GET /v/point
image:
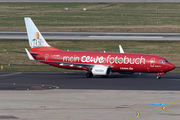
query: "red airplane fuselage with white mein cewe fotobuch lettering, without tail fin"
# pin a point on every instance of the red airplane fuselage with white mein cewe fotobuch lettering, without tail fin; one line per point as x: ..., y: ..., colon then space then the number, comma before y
x: 120, y: 62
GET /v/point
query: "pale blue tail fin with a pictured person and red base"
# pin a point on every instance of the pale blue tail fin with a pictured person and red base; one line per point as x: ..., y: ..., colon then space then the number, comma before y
x: 36, y: 40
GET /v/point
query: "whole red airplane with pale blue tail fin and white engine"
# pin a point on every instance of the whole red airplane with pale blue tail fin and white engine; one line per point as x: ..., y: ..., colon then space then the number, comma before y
x: 95, y: 63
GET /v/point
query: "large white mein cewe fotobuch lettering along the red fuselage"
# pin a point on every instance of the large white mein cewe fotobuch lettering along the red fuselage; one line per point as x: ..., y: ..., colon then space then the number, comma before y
x: 101, y: 59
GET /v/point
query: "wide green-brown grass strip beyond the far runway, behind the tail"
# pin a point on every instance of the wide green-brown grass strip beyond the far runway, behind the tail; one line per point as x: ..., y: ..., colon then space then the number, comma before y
x: 98, y: 17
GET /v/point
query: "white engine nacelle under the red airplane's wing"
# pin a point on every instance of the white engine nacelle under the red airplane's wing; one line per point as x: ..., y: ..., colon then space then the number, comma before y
x: 101, y: 70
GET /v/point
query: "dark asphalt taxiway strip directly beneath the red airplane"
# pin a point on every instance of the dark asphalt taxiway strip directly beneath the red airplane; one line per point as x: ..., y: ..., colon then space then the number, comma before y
x: 77, y: 80
